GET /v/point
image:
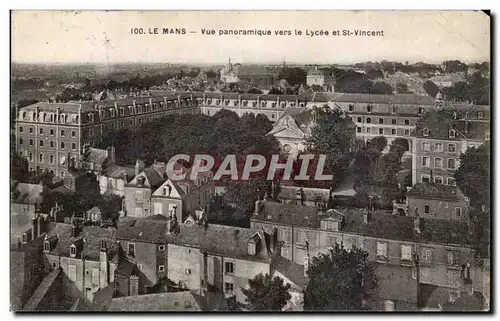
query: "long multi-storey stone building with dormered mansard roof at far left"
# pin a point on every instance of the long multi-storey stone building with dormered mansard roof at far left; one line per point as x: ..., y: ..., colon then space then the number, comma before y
x: 52, y: 136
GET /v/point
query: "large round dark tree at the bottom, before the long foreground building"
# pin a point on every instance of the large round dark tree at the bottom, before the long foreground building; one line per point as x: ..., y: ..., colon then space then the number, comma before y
x: 339, y: 280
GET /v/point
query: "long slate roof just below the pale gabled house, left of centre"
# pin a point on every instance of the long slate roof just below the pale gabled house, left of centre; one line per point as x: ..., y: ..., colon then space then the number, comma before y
x: 217, y: 239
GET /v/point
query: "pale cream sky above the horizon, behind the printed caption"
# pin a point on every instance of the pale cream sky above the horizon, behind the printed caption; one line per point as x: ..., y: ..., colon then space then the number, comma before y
x: 79, y: 36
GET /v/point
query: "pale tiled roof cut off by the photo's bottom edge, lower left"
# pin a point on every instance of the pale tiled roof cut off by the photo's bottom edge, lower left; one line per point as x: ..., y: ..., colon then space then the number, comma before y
x: 174, y: 301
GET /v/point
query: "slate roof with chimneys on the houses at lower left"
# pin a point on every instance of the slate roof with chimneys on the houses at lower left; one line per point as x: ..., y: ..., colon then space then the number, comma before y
x: 92, y: 235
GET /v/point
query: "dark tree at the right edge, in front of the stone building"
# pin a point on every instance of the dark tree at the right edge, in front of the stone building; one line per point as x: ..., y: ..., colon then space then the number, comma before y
x: 473, y: 175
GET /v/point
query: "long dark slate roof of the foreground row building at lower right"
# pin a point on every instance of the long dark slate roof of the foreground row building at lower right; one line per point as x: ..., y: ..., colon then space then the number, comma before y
x: 381, y: 225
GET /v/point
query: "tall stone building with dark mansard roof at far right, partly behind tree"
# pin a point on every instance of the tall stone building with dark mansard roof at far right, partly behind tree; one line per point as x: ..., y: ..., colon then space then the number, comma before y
x: 440, y: 137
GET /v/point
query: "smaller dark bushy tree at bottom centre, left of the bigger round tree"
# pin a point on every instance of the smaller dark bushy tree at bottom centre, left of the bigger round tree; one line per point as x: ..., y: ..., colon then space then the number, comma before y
x: 266, y: 293
